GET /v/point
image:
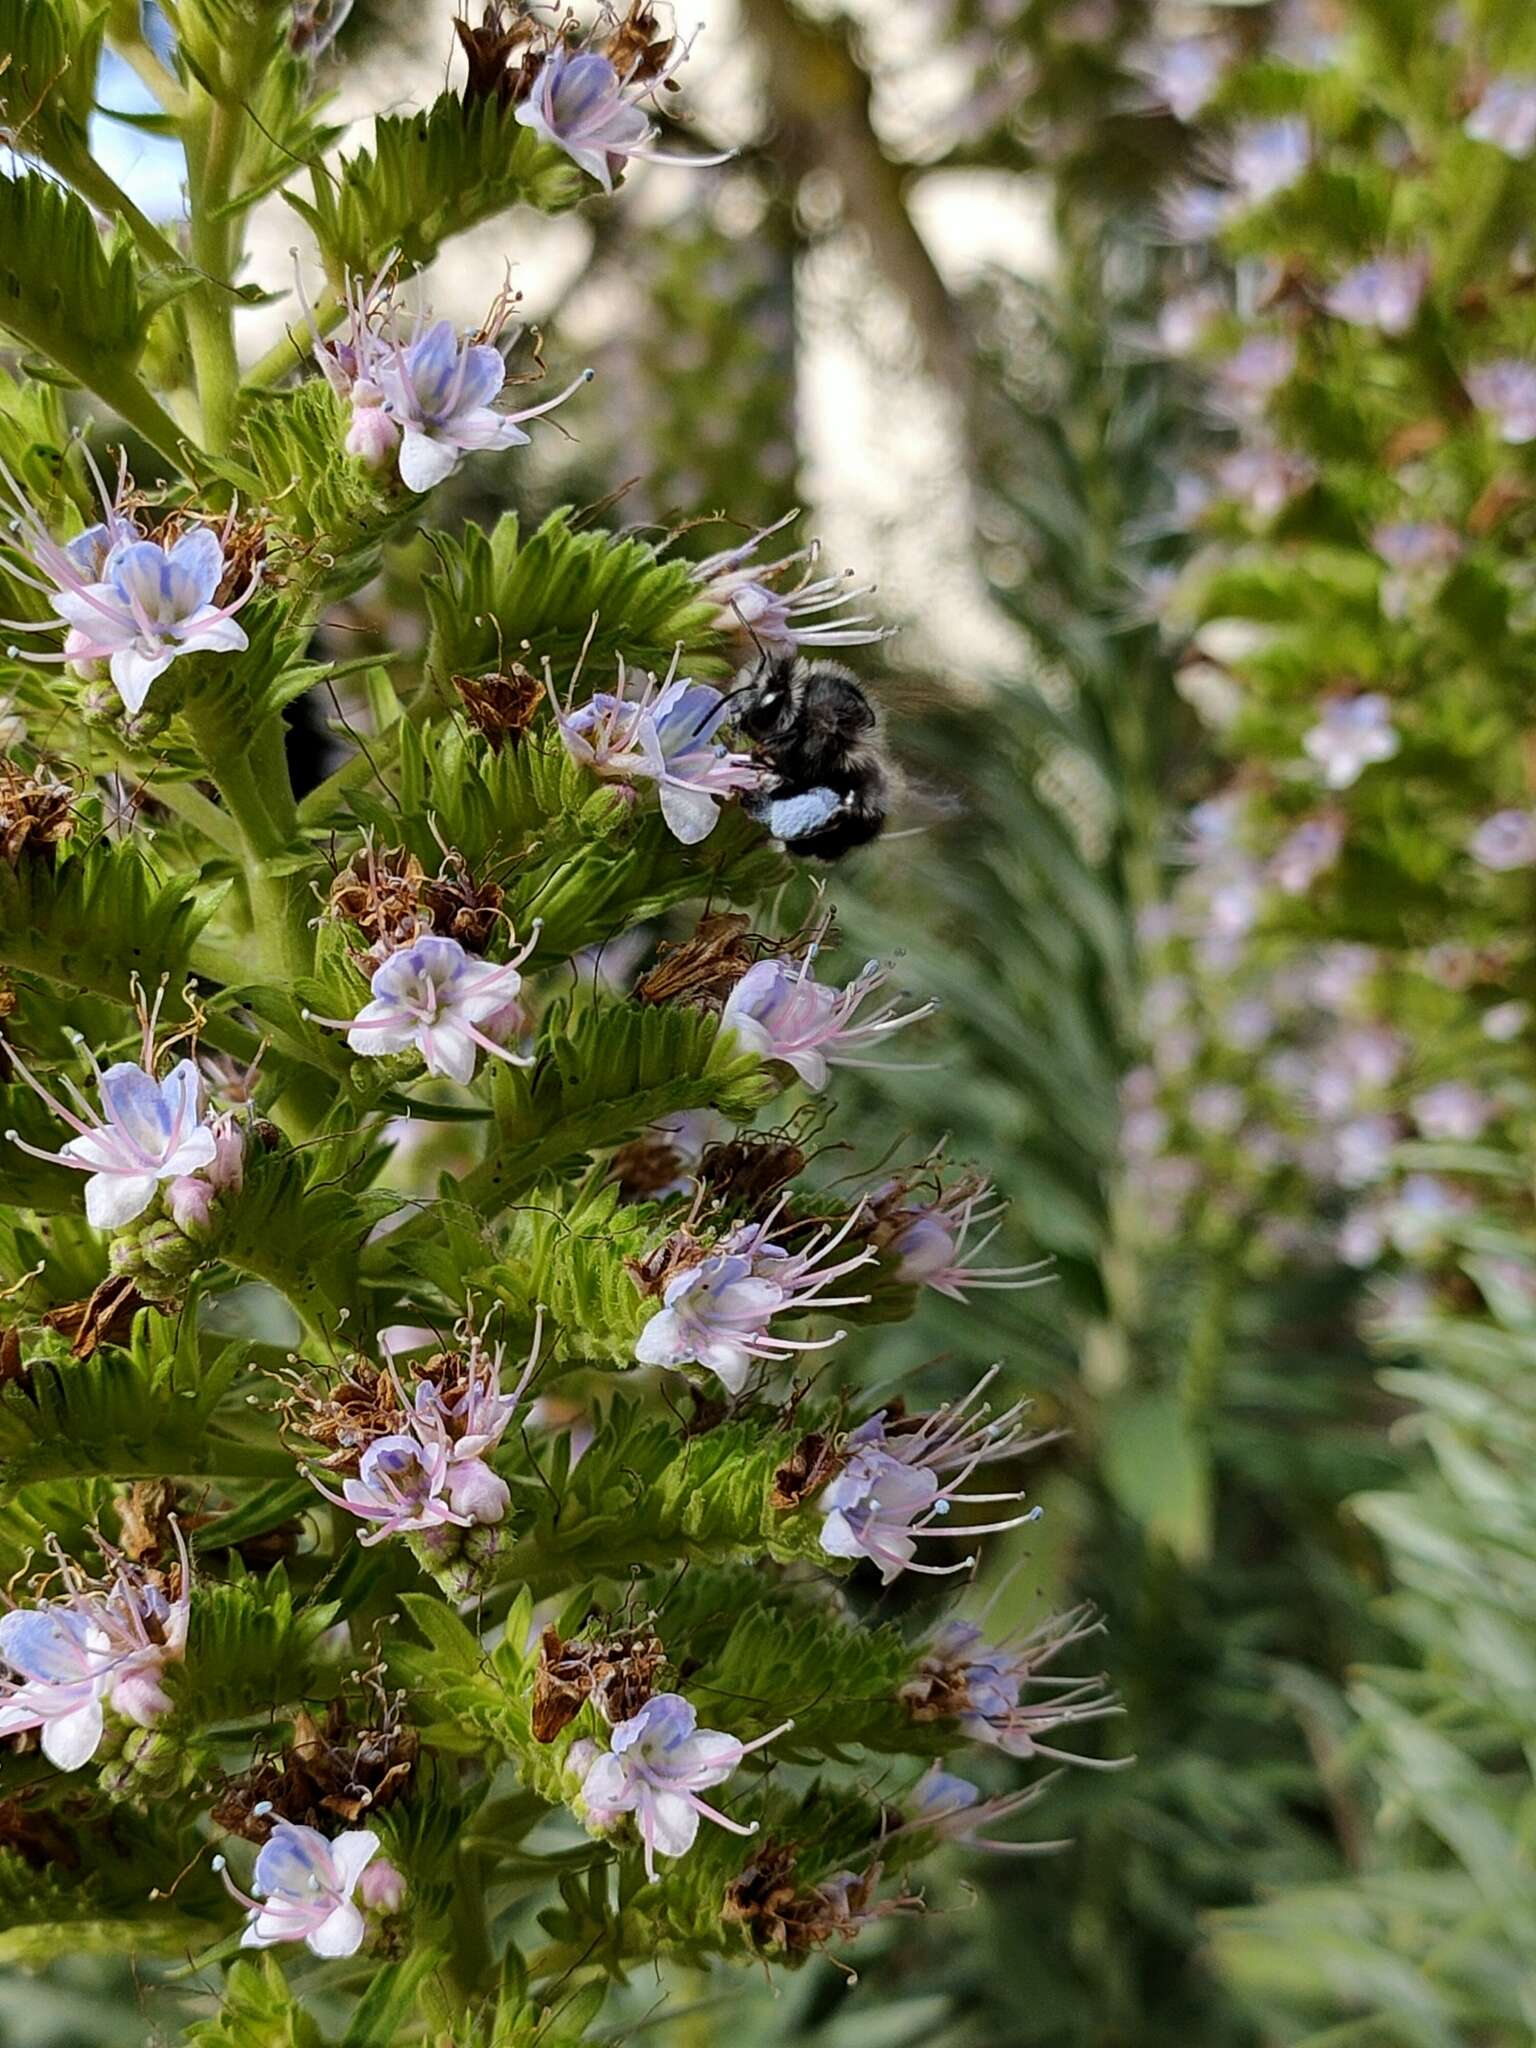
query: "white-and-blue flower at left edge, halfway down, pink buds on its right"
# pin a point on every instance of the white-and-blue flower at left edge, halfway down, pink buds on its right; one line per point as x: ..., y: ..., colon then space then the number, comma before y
x: 148, y: 1134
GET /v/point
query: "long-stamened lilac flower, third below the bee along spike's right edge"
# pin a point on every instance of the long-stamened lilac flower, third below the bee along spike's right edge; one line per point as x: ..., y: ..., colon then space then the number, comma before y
x: 902, y: 1482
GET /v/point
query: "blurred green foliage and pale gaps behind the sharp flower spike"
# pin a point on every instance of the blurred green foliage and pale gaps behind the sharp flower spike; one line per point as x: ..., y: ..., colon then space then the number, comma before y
x: 943, y: 300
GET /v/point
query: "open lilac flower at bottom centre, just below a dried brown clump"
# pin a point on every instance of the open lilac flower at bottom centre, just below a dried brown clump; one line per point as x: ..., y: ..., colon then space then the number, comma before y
x: 656, y: 1766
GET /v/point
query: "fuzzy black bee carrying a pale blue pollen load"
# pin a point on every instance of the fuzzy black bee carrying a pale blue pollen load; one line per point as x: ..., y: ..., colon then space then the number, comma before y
x: 816, y: 730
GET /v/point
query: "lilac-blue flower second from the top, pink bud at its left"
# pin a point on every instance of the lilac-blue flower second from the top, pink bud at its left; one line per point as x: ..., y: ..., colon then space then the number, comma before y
x: 439, y: 394
